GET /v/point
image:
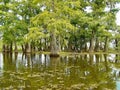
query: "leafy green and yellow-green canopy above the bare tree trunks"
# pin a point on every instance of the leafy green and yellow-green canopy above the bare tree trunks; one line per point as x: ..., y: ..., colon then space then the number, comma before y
x: 33, y: 20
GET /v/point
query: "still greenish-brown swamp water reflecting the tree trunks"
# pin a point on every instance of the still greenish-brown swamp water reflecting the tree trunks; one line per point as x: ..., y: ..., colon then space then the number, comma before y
x: 73, y: 72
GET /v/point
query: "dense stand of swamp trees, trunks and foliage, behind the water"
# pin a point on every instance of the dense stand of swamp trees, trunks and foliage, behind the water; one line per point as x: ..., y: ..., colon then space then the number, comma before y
x: 59, y: 25
